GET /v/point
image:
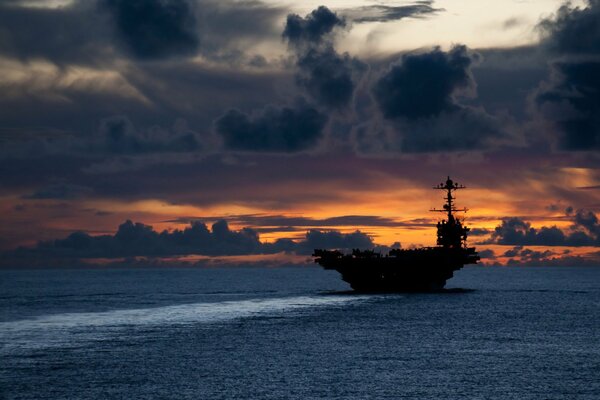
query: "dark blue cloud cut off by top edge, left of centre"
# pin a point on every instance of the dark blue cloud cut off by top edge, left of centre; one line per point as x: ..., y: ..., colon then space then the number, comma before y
x: 154, y: 29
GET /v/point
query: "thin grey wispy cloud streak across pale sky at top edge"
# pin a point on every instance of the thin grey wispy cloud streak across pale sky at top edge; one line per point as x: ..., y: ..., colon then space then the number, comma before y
x: 382, y: 13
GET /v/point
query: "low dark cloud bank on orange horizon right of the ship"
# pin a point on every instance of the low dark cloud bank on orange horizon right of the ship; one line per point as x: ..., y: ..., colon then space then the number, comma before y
x: 585, y: 231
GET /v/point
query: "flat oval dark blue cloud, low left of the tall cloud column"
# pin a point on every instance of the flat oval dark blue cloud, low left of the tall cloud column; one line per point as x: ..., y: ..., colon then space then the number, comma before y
x: 274, y: 129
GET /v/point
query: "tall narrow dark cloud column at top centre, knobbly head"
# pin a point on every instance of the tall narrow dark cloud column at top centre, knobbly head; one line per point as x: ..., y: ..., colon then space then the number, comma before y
x: 328, y: 77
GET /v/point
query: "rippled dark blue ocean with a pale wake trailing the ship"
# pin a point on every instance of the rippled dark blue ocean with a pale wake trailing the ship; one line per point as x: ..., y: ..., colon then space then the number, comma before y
x: 297, y: 333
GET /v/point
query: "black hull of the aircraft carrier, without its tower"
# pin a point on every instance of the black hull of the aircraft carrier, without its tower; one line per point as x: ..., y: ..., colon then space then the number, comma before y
x: 419, y: 270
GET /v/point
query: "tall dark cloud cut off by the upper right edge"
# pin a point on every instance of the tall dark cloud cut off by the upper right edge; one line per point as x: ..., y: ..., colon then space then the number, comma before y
x: 570, y: 98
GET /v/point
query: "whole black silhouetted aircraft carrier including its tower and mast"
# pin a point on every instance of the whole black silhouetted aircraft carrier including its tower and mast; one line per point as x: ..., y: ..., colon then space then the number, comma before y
x: 408, y: 270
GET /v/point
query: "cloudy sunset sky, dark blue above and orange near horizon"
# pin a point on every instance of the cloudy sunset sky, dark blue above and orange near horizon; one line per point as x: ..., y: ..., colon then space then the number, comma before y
x: 201, y: 132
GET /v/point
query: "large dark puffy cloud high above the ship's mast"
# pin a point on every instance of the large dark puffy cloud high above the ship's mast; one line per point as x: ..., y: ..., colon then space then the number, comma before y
x: 418, y: 95
